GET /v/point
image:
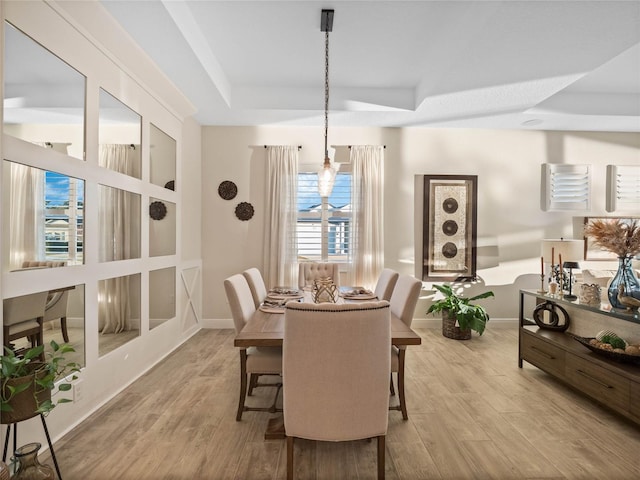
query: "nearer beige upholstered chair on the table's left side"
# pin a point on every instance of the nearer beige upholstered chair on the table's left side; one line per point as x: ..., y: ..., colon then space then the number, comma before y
x: 254, y: 361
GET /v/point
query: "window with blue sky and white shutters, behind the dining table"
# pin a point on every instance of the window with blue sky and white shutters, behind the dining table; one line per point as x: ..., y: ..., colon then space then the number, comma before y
x: 323, y: 224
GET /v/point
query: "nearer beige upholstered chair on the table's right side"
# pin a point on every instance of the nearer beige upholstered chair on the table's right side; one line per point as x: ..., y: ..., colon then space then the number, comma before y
x: 403, y: 304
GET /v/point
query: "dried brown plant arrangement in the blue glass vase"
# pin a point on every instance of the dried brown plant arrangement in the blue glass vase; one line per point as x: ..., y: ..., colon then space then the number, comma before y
x: 616, y: 236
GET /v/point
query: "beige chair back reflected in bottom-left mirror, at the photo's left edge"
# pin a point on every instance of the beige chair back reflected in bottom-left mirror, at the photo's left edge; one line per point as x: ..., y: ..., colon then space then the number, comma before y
x: 23, y: 317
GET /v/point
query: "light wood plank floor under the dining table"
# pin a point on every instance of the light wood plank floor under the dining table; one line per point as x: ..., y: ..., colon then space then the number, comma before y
x: 472, y: 414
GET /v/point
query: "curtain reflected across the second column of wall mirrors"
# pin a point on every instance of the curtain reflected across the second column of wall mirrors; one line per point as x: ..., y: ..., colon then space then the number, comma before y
x: 115, y: 217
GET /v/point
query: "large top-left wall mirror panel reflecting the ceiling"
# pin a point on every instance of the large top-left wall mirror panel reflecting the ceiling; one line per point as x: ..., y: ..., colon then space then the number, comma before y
x: 43, y: 96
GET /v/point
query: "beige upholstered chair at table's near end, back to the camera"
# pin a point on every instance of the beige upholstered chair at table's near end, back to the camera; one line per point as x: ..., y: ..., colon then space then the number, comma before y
x: 336, y: 361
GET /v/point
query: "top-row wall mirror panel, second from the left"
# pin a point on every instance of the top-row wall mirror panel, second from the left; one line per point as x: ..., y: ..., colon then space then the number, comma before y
x: 119, y: 137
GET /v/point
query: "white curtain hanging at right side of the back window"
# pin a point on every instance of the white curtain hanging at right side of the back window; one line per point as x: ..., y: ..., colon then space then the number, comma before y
x: 367, y: 241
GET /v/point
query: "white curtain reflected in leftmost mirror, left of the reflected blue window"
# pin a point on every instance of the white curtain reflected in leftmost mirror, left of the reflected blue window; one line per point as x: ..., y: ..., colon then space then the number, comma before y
x: 26, y: 214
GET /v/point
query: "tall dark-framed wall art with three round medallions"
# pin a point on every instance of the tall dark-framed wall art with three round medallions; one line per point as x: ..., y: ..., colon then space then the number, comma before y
x: 449, y: 227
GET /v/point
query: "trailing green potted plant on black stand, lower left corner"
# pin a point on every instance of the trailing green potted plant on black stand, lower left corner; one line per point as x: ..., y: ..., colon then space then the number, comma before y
x: 27, y: 381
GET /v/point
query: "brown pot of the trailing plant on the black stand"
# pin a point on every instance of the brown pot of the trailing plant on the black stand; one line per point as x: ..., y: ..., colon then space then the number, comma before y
x: 25, y: 403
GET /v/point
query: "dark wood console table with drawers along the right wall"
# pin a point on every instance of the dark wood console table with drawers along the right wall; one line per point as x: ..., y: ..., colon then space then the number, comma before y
x: 614, y: 385
